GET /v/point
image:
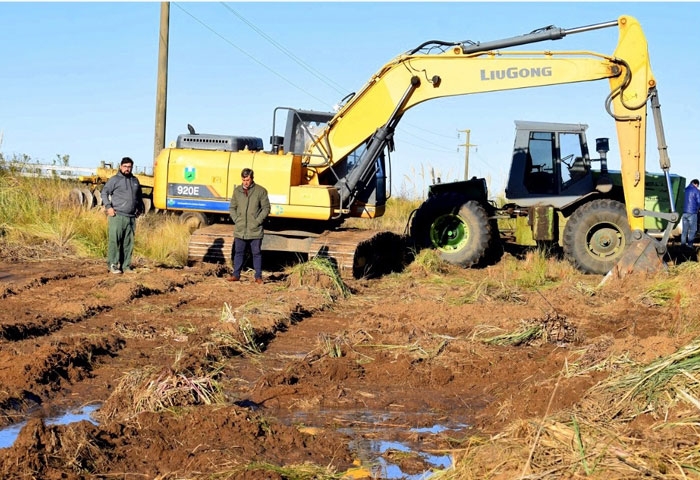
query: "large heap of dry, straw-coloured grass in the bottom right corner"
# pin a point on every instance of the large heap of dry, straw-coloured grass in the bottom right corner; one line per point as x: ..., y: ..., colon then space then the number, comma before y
x: 592, y: 439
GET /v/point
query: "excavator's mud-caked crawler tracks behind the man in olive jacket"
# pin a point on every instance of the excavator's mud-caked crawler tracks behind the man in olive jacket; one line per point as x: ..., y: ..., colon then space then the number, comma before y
x: 356, y: 253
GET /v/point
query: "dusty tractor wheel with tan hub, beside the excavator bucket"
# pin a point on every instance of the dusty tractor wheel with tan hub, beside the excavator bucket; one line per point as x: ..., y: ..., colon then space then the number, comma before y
x: 596, y: 235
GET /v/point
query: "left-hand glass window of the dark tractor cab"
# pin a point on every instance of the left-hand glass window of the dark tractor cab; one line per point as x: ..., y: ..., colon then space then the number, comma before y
x: 540, y: 165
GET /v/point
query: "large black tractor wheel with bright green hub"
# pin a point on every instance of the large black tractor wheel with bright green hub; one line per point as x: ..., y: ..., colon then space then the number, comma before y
x: 459, y: 230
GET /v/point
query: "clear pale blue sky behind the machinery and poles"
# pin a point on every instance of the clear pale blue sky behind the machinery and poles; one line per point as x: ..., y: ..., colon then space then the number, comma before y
x: 79, y: 79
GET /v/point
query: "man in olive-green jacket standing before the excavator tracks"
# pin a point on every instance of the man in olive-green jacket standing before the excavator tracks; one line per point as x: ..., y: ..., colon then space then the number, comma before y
x: 249, y: 207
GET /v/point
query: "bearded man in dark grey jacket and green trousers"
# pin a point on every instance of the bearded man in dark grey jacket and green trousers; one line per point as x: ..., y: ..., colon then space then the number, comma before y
x: 123, y: 202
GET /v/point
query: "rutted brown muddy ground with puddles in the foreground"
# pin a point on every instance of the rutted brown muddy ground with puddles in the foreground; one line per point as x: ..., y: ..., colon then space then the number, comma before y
x: 306, y: 376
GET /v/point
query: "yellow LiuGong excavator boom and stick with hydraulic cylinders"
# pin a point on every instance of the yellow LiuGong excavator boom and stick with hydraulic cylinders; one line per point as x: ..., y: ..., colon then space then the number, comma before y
x: 370, y: 116
